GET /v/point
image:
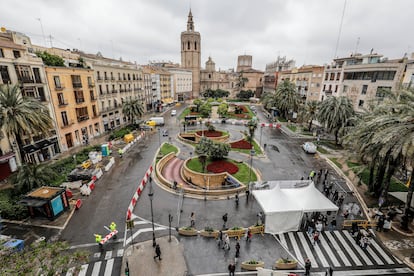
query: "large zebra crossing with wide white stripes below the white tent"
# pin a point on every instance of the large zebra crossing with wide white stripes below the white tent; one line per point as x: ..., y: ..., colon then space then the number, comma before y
x: 337, y: 249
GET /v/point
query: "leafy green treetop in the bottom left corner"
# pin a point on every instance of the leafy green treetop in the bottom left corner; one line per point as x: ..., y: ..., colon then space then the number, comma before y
x: 43, y: 258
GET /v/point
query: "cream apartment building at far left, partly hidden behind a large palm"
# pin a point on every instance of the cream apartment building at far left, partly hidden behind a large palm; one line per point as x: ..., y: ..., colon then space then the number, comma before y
x: 19, y: 65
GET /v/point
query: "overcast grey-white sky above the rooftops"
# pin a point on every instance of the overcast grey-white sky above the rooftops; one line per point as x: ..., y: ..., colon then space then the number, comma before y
x: 149, y: 30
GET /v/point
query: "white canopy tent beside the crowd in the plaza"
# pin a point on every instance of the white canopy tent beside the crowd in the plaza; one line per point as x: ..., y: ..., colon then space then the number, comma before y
x: 284, y: 206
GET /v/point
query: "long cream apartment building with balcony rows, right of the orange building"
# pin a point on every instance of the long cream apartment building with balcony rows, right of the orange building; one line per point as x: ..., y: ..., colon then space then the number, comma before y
x: 116, y: 82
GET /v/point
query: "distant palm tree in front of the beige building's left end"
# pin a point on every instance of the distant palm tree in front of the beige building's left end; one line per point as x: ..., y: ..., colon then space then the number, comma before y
x: 286, y: 98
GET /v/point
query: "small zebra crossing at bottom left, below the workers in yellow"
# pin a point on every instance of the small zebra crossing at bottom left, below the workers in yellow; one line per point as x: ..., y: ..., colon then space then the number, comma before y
x: 102, y: 263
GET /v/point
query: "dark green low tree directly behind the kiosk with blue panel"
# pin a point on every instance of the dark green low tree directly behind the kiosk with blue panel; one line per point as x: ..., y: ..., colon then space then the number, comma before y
x: 30, y: 176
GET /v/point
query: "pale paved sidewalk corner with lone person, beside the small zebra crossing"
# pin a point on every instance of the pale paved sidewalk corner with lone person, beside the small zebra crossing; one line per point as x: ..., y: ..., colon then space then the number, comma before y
x: 140, y: 258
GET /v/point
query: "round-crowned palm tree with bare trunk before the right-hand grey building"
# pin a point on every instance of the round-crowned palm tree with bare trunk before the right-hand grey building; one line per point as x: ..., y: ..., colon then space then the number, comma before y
x: 335, y: 113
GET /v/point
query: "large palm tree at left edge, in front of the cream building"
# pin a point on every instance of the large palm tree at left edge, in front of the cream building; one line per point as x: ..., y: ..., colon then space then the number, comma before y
x: 22, y: 116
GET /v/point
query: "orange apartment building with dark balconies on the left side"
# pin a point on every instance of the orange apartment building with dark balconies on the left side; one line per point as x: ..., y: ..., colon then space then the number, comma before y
x: 75, y: 102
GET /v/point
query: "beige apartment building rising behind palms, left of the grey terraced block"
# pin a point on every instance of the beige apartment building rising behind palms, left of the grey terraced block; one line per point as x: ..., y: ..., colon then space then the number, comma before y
x: 308, y: 80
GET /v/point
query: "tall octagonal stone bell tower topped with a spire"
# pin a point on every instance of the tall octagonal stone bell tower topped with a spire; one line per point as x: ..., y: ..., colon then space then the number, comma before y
x: 191, y: 53
